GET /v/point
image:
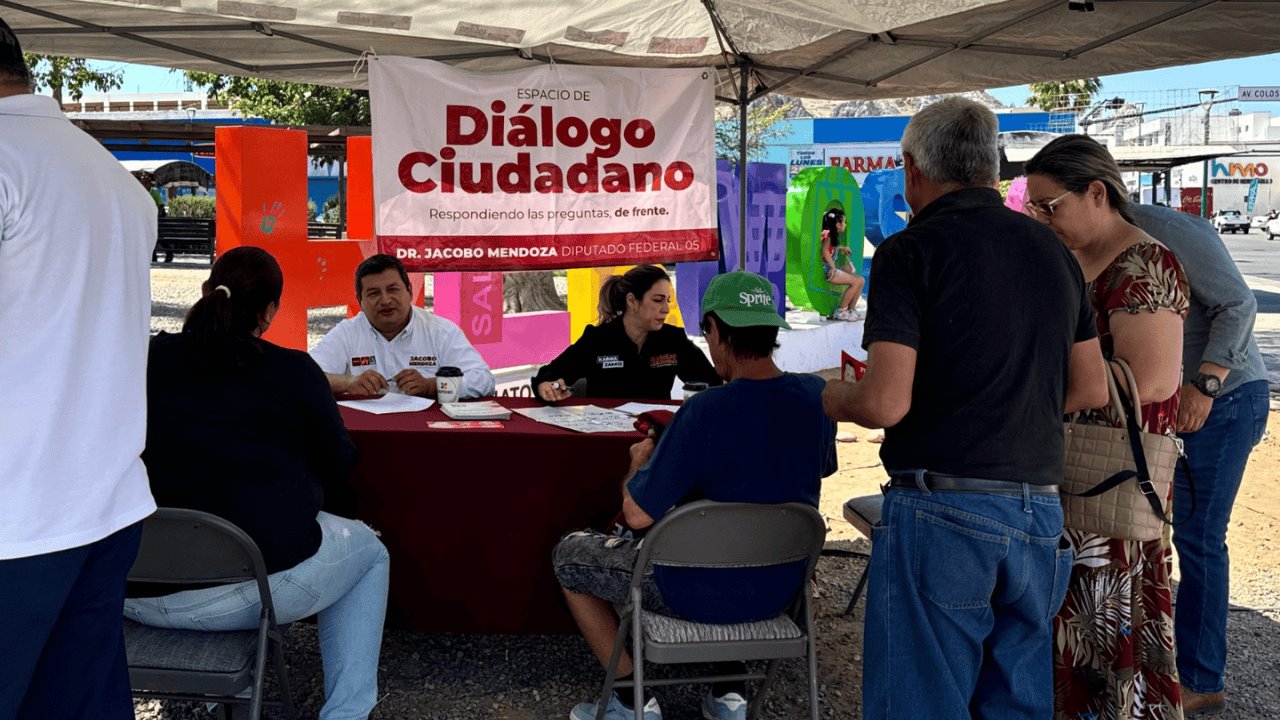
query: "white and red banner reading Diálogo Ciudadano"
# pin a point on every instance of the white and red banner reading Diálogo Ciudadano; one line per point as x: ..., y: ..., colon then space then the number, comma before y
x: 551, y: 167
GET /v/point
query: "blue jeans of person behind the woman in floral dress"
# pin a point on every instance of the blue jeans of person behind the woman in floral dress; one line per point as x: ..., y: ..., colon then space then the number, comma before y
x: 1217, y: 454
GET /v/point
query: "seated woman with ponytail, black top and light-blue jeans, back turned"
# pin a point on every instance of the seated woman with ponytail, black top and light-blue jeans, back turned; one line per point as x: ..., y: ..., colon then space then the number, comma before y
x: 249, y: 431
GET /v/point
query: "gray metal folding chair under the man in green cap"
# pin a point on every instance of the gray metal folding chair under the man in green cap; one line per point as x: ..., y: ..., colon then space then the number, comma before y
x: 715, y: 535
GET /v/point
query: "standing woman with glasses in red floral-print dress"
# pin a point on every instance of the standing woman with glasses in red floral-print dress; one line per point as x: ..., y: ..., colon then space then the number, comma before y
x: 1116, y: 632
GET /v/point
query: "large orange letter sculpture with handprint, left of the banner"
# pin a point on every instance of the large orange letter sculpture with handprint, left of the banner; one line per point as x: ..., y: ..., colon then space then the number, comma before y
x: 263, y: 202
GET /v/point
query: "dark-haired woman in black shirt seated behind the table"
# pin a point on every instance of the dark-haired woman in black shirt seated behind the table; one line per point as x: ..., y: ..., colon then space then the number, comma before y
x: 632, y: 352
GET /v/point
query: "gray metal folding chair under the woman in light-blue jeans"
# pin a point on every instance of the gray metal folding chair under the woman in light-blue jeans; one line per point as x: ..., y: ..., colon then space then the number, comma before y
x: 191, y: 548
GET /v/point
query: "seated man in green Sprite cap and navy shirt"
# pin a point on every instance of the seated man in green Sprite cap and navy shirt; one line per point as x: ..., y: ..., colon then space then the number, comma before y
x: 761, y: 438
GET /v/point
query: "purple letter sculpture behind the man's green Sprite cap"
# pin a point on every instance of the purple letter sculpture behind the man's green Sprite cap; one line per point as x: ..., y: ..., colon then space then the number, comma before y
x: 766, y: 236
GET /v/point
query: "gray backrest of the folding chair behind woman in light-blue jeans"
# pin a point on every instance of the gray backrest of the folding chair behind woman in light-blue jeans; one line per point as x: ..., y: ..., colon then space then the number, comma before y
x: 188, y: 548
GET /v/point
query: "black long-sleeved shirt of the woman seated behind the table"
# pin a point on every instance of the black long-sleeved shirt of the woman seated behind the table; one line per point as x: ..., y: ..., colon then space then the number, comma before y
x: 614, y: 368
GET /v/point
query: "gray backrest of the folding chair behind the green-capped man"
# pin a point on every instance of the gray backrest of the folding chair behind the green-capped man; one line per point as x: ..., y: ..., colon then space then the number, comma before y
x: 735, y: 535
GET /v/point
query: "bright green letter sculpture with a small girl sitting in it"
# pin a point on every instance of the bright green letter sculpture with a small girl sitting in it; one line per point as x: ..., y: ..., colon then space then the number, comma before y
x: 813, y: 193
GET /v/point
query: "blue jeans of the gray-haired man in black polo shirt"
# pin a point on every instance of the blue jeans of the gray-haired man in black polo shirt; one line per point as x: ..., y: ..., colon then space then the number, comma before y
x: 961, y: 603
